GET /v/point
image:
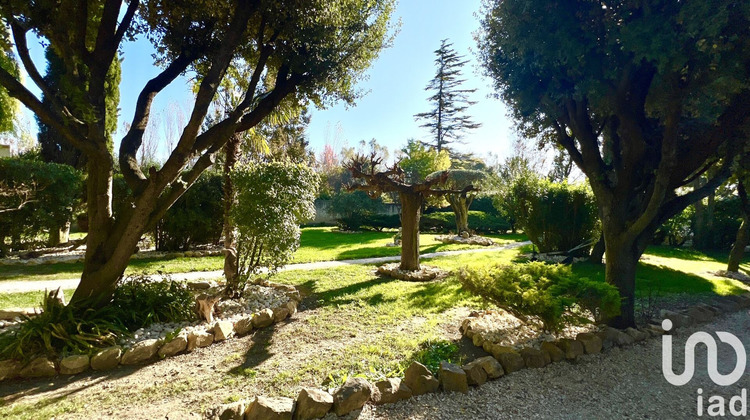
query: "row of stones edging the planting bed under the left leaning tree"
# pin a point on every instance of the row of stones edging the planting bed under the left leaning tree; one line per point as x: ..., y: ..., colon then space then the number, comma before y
x: 153, y: 350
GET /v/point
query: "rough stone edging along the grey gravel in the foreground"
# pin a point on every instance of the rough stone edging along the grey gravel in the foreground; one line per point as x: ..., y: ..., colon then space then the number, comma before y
x: 312, y: 403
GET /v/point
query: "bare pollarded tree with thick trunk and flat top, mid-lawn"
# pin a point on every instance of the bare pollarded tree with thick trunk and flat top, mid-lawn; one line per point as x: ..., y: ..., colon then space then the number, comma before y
x: 376, y: 180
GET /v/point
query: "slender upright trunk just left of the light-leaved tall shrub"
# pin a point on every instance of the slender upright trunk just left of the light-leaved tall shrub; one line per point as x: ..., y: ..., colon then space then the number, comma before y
x: 232, y: 151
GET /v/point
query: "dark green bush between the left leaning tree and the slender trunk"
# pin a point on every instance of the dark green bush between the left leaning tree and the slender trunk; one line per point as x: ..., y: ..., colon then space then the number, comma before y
x: 195, y: 218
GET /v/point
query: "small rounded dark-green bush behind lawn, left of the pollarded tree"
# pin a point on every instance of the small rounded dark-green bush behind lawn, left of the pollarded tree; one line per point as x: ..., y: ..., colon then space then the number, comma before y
x: 355, y: 209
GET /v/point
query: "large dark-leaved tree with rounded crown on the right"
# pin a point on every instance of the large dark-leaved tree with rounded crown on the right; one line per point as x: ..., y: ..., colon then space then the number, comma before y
x: 644, y: 96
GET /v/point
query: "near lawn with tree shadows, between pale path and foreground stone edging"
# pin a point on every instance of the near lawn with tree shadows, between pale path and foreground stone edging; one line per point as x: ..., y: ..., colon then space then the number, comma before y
x: 356, y: 323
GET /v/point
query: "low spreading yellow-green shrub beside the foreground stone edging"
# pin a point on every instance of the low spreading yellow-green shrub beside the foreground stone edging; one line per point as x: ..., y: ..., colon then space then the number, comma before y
x: 550, y: 292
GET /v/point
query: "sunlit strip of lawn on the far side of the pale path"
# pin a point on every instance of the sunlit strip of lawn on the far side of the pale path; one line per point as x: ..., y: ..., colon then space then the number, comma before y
x: 316, y: 244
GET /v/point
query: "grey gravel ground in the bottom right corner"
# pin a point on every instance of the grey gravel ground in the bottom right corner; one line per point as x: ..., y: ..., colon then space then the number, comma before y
x: 617, y: 384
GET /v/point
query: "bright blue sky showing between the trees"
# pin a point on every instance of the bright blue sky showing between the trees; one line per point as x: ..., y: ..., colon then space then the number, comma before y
x: 394, y: 89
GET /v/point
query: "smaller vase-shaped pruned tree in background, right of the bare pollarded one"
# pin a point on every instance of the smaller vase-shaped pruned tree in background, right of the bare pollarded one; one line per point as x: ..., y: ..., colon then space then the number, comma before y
x: 467, y: 181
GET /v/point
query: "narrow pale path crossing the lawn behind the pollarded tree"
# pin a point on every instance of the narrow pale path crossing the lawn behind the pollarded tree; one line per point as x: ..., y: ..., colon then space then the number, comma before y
x: 16, y: 286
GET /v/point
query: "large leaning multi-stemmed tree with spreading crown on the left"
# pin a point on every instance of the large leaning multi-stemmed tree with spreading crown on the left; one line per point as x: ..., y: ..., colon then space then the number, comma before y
x: 294, y: 50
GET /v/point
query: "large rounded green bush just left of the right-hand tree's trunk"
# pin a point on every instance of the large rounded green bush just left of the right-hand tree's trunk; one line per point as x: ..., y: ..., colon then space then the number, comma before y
x: 556, y: 216
